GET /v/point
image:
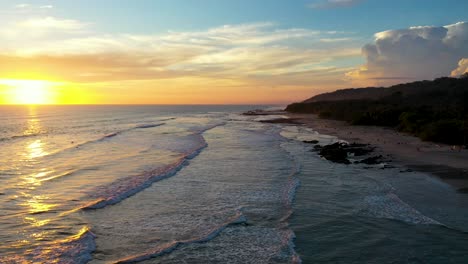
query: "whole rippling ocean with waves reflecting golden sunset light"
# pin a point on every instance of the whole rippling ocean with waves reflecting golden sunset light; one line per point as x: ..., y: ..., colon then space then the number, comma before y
x: 205, y: 184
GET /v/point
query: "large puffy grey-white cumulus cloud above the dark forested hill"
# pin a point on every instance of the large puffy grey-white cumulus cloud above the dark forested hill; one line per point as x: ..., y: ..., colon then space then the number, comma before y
x: 410, y: 54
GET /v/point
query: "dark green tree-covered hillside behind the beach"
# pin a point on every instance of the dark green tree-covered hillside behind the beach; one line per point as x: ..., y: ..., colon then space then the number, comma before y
x: 432, y: 110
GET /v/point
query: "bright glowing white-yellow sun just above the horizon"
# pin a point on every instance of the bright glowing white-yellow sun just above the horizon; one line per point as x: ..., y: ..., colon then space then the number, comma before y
x: 29, y: 92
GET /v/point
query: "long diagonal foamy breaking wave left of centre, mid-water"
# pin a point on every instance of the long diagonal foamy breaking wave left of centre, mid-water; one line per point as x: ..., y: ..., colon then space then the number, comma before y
x: 126, y: 187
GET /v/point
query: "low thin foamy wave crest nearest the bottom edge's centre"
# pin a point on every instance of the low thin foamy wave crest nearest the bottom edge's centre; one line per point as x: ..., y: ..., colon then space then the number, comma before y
x: 237, y: 219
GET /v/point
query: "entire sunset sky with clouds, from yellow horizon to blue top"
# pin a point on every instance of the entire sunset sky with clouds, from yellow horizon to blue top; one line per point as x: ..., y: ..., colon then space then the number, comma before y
x: 222, y: 52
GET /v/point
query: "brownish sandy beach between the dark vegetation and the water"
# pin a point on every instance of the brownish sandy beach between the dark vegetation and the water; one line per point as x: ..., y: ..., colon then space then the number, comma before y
x: 403, y: 149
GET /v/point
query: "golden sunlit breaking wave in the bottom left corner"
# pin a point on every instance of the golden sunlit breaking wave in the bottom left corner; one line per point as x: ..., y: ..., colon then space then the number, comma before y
x: 76, y: 249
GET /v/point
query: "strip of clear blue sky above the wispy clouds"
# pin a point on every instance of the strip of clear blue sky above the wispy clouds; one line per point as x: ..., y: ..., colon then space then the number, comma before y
x: 364, y: 17
